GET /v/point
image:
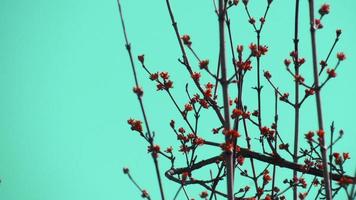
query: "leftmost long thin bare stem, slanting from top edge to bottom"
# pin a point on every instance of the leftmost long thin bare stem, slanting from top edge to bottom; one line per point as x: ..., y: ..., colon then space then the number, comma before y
x: 151, y: 139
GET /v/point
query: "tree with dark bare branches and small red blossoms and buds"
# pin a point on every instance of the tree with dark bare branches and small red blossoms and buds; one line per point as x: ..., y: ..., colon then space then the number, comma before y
x: 315, y: 167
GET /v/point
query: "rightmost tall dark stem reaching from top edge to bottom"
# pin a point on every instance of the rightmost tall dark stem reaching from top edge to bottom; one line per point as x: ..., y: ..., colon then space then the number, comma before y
x: 327, y: 187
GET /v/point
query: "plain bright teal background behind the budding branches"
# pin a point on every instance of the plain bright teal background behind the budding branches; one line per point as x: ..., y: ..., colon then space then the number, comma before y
x: 65, y: 85
